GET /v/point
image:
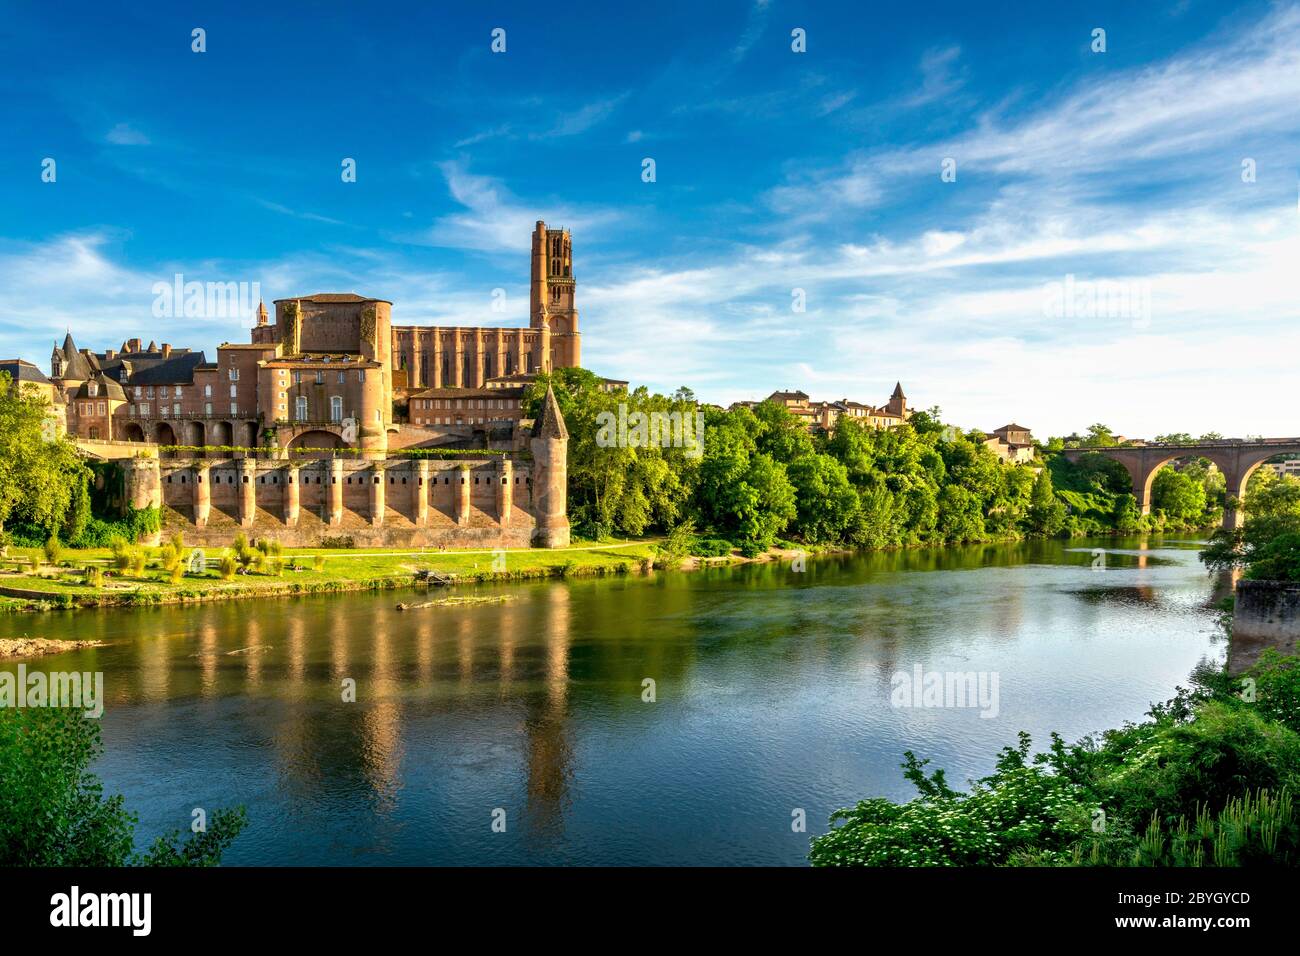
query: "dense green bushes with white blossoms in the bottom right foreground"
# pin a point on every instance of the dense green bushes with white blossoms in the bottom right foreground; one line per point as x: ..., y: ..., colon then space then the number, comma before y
x: 1210, y: 780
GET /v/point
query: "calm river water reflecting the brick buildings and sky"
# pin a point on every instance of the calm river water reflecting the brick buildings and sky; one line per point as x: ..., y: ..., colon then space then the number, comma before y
x: 773, y: 695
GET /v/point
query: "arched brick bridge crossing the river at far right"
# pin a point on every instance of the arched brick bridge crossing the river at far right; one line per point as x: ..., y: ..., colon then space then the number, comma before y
x: 1237, y: 458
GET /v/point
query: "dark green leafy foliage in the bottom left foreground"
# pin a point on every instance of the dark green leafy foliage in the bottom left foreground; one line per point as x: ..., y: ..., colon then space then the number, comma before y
x: 54, y: 811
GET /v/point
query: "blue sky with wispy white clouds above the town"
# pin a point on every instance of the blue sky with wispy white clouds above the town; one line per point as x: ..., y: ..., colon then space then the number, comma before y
x: 775, y: 171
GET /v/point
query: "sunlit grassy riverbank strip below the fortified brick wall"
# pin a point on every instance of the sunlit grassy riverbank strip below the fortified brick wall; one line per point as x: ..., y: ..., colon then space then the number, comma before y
x: 344, y: 570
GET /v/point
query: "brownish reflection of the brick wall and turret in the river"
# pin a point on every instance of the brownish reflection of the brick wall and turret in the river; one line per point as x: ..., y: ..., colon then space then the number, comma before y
x: 289, y: 668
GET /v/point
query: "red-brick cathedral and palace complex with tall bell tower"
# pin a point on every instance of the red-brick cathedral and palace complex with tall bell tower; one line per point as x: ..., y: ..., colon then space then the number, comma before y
x: 330, y: 371
